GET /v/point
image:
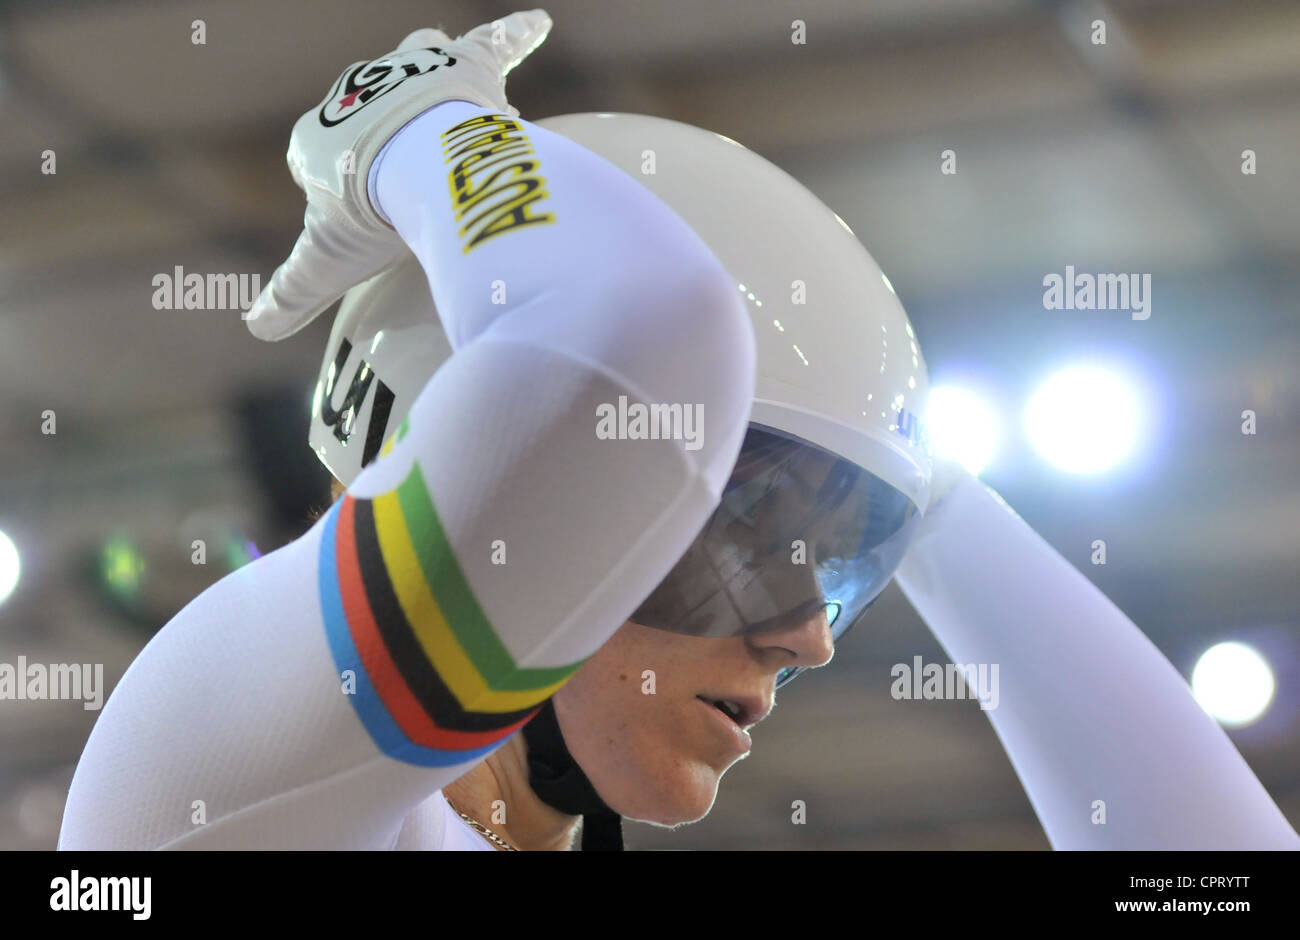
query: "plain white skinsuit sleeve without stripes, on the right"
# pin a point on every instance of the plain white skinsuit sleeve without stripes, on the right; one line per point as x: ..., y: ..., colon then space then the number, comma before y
x: 1112, y: 748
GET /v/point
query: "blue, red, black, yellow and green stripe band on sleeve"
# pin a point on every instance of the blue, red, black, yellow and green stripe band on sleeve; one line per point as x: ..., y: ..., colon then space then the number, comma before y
x: 435, y: 685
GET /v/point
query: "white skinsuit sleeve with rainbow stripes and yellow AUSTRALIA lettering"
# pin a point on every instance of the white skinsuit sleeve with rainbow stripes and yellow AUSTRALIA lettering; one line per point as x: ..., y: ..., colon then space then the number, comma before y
x: 324, y: 694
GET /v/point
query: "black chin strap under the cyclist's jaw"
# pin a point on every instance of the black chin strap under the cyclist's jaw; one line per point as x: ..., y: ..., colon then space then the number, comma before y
x: 556, y: 778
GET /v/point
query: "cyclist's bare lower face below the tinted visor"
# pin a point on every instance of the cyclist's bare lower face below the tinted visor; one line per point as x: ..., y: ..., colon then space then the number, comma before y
x: 636, y: 720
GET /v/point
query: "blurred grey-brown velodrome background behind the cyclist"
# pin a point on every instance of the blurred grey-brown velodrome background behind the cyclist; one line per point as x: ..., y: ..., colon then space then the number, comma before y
x: 175, y: 426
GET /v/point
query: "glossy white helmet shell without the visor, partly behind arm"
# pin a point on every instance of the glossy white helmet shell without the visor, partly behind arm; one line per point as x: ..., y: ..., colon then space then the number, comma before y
x: 839, y: 365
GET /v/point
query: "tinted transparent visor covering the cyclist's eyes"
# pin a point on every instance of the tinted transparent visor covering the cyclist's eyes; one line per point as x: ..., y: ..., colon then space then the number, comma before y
x: 800, y: 532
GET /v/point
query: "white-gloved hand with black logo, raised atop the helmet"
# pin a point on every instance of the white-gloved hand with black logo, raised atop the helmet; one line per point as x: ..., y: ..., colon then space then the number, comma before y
x: 332, y: 149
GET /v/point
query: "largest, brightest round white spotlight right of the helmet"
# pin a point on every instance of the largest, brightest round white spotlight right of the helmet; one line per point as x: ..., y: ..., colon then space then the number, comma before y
x: 1085, y: 419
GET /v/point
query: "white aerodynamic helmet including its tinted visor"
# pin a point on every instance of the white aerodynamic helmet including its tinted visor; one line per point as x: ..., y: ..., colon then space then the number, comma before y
x: 840, y: 374
